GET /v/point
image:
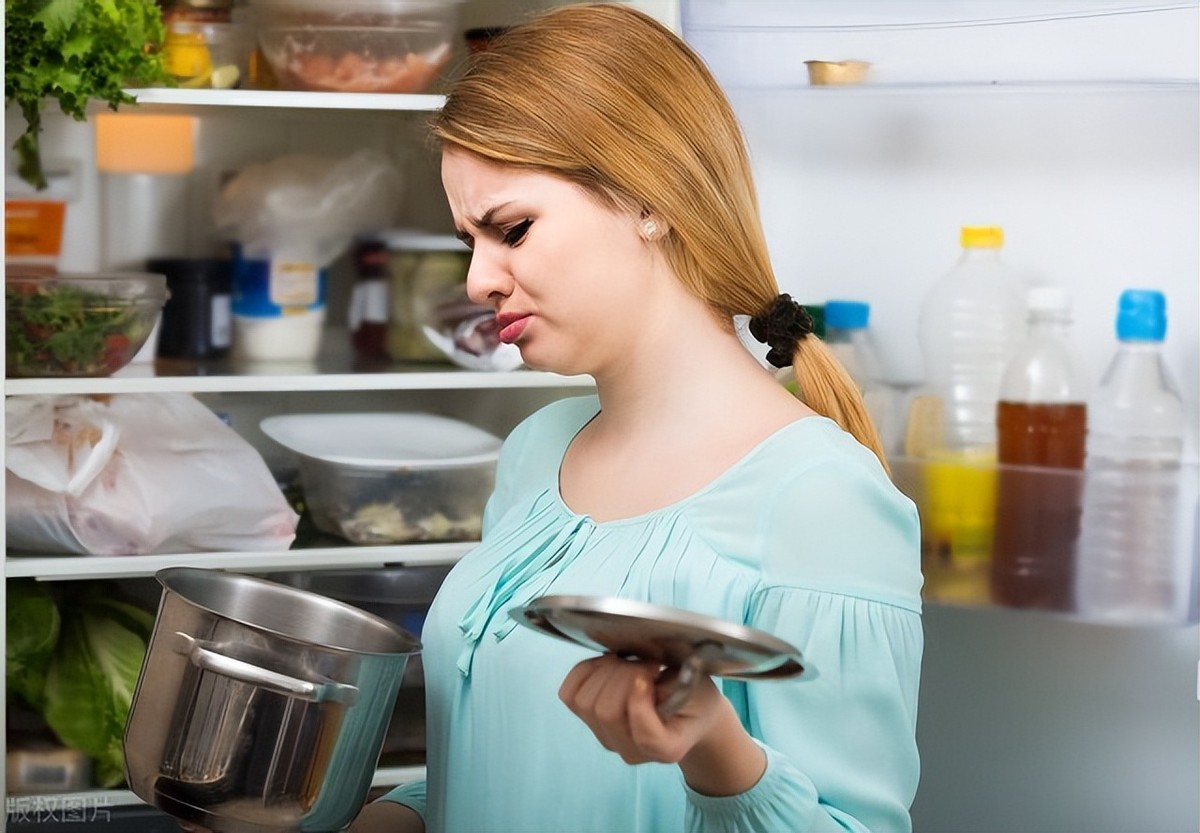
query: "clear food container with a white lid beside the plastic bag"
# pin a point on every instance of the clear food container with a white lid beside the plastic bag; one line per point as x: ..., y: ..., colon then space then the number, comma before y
x: 377, y: 478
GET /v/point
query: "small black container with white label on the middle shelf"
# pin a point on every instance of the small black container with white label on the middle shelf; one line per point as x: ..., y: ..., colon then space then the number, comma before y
x: 196, y: 321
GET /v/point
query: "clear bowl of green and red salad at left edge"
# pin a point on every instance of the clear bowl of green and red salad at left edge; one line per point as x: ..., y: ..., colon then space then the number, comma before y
x: 62, y: 331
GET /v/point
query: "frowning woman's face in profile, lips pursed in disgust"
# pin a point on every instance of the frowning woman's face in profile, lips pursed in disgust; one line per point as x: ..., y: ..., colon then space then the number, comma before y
x: 569, y: 278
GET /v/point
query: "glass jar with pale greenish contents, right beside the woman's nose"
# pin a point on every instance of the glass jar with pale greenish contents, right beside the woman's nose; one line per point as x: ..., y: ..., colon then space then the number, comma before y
x: 425, y: 272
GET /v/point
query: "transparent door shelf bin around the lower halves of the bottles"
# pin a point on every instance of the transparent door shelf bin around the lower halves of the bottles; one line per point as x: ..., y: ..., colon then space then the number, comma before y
x: 1016, y: 537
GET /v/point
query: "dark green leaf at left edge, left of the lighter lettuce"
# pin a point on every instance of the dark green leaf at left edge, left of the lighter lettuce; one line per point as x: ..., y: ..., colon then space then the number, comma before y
x: 33, y: 631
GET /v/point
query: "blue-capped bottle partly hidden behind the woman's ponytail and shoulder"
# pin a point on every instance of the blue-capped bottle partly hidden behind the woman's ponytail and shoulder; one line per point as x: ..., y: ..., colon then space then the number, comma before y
x: 848, y: 335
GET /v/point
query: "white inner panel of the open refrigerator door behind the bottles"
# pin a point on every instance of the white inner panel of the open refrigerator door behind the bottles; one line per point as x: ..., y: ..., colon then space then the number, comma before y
x: 1075, y: 127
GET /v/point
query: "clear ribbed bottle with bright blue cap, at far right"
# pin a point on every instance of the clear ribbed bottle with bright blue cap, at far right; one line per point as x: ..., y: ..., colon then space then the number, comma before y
x: 1129, y: 565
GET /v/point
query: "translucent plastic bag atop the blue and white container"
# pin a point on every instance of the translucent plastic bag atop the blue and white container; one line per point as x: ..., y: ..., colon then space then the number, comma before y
x: 308, y: 208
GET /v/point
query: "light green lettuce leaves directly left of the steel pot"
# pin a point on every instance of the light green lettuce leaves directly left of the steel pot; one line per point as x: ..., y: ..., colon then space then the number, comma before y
x: 92, y: 679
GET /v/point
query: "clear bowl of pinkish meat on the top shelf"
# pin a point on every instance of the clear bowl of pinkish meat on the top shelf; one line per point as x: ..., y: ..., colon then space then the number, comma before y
x: 357, y: 46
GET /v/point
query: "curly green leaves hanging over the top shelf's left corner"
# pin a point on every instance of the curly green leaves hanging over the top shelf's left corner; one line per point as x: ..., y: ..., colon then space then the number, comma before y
x: 76, y: 51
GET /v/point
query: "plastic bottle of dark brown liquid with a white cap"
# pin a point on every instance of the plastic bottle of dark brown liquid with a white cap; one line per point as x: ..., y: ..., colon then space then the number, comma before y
x: 1042, y: 430
